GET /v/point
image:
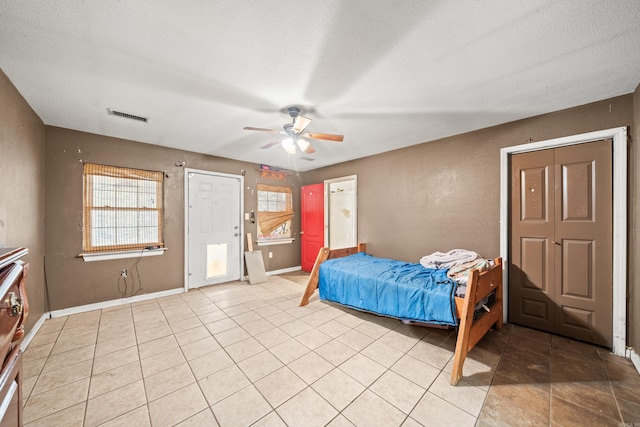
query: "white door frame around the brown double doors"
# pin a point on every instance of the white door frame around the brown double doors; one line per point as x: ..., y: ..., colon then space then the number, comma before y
x: 619, y: 137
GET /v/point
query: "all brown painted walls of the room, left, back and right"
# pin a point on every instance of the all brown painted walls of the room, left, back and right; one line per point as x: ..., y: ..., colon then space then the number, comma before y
x: 434, y: 196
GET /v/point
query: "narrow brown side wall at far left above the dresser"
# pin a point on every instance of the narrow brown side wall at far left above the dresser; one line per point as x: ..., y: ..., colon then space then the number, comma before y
x: 22, y: 140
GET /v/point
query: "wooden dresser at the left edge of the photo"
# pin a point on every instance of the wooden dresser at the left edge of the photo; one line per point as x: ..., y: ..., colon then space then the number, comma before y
x: 13, y: 312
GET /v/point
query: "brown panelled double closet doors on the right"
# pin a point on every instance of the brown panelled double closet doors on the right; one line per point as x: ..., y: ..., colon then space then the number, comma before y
x: 560, y: 276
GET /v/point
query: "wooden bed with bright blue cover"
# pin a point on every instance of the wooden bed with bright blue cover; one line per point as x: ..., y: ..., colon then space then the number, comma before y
x: 440, y: 308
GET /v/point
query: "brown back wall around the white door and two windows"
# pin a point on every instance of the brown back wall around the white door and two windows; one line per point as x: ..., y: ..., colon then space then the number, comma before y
x: 73, y: 282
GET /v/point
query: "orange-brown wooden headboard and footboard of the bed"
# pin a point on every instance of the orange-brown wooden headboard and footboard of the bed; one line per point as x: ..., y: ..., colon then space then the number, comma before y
x: 470, y: 330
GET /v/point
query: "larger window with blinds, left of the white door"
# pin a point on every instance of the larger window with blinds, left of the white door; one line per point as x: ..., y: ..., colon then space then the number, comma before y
x: 122, y: 208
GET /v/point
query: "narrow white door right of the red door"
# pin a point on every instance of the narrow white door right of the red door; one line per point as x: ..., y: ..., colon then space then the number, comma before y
x: 341, y: 214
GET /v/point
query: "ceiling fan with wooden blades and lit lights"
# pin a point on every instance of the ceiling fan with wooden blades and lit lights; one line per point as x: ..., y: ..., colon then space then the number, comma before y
x: 295, y: 134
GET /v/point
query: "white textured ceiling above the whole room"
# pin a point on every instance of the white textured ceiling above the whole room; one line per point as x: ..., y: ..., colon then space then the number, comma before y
x: 386, y: 74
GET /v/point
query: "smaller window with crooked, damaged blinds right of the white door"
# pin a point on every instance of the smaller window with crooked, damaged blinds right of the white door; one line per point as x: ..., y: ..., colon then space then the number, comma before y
x: 275, y: 210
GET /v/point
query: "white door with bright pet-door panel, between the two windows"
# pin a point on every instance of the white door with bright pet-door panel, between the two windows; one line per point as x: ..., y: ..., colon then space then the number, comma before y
x: 214, y: 231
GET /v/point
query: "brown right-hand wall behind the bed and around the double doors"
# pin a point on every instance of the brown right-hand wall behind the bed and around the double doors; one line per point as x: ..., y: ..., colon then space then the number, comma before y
x: 445, y: 194
